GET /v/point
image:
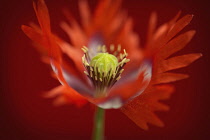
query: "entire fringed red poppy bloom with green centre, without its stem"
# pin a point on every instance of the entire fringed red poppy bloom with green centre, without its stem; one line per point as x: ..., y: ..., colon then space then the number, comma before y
x: 113, y: 70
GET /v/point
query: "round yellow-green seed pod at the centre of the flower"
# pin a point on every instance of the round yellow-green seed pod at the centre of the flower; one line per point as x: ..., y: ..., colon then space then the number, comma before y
x: 104, y: 62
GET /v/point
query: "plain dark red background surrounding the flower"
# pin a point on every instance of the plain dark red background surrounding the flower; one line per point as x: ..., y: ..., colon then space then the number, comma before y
x: 25, y: 115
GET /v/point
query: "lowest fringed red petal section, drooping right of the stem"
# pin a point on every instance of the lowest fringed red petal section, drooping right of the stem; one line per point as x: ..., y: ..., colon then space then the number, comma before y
x: 141, y: 109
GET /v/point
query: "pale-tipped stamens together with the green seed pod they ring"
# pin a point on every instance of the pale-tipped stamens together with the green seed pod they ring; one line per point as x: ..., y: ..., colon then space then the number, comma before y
x: 105, y: 68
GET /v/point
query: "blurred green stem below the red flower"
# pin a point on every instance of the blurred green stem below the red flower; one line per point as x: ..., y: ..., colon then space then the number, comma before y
x: 98, y: 129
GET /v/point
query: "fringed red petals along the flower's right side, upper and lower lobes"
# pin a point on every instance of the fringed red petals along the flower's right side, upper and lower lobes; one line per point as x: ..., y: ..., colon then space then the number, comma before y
x: 161, y: 44
